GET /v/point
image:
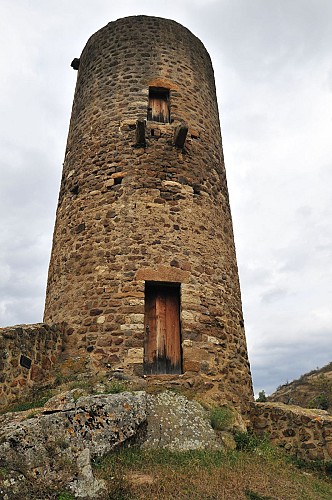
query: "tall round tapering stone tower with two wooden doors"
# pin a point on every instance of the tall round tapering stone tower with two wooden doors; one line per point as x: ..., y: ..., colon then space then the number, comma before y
x: 143, y: 267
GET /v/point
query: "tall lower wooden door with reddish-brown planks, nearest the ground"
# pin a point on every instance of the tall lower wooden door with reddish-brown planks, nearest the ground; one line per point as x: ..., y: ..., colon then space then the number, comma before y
x: 162, y: 341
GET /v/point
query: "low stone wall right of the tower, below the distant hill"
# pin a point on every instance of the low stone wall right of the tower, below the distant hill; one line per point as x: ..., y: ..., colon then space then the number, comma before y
x: 303, y: 432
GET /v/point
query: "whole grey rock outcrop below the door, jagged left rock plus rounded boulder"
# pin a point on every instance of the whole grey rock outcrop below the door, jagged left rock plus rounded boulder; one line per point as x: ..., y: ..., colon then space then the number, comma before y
x: 45, y: 451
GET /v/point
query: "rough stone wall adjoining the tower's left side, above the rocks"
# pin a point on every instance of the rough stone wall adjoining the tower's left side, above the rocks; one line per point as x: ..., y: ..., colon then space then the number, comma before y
x: 27, y: 353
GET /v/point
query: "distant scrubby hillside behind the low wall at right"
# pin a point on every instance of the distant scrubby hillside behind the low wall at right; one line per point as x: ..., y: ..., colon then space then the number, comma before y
x: 311, y: 390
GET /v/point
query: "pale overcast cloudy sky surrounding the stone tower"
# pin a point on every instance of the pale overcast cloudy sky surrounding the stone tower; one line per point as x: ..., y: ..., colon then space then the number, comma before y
x: 273, y: 70
